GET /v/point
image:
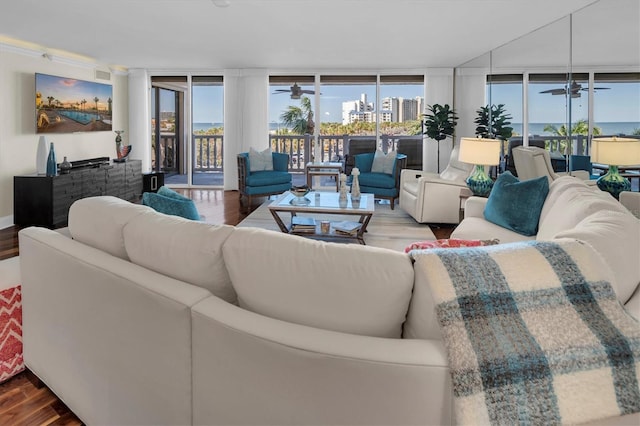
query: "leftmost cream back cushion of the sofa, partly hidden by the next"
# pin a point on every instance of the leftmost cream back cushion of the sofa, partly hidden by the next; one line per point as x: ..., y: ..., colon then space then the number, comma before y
x: 98, y: 222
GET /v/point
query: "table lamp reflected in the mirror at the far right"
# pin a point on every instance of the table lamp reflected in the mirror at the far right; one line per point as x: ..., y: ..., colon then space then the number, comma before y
x: 614, y: 152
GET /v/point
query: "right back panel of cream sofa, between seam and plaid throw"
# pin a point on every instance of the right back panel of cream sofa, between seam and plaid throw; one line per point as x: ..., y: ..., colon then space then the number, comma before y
x: 251, y: 369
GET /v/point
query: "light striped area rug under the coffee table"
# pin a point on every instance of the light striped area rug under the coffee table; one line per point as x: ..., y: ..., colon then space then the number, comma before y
x: 392, y: 229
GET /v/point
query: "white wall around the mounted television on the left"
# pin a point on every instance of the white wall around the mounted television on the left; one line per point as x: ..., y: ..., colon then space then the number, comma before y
x: 18, y: 138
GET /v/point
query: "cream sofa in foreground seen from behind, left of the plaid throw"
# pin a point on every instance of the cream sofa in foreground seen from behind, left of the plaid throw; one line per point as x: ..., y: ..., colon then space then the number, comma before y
x: 143, y: 318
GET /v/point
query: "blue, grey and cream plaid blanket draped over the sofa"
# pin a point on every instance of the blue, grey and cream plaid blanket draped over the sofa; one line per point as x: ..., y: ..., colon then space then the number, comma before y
x: 534, y: 334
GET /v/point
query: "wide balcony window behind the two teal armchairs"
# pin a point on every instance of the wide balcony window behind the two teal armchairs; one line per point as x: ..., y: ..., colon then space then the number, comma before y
x: 347, y: 107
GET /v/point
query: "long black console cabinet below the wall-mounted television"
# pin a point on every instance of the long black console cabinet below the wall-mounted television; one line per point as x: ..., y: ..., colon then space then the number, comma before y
x: 45, y: 200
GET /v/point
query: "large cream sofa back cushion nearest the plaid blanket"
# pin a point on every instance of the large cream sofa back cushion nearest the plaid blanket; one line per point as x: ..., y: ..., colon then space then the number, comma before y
x: 340, y: 287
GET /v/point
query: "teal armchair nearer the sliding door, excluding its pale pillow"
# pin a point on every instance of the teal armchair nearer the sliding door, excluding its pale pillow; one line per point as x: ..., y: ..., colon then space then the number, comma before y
x: 263, y: 183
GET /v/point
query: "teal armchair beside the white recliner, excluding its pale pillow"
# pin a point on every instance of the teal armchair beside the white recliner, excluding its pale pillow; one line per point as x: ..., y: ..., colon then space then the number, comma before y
x: 380, y: 184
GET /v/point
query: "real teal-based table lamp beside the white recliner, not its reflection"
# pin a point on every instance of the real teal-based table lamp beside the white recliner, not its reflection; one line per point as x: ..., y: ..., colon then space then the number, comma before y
x: 480, y: 152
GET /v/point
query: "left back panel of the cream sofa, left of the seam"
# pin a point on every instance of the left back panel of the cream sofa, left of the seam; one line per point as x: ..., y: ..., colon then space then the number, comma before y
x: 99, y: 328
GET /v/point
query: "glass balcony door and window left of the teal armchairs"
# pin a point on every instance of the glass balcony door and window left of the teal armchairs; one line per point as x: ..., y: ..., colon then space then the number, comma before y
x: 187, y: 129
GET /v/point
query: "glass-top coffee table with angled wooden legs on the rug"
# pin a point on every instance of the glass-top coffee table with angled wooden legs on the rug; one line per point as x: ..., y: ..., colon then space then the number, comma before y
x: 322, y: 205
